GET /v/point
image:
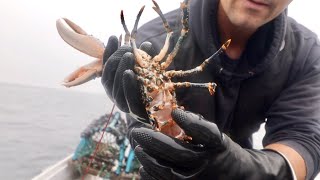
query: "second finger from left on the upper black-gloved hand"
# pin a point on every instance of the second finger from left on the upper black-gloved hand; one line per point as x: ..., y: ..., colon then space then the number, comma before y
x: 127, y: 62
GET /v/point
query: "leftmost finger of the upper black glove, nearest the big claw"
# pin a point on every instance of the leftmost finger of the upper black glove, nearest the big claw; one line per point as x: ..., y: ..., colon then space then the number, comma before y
x: 110, y: 68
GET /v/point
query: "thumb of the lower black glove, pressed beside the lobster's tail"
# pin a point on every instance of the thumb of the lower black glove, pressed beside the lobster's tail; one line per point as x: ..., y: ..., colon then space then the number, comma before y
x: 202, y: 131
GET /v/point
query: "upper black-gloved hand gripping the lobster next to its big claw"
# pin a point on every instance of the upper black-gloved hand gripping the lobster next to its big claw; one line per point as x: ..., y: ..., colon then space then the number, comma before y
x: 119, y: 79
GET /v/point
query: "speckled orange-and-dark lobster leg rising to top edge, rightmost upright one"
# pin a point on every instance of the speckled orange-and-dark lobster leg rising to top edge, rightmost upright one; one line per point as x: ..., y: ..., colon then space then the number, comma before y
x: 184, y: 32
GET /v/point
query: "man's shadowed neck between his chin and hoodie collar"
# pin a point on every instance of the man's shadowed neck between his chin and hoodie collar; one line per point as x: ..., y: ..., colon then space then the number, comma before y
x: 239, y: 36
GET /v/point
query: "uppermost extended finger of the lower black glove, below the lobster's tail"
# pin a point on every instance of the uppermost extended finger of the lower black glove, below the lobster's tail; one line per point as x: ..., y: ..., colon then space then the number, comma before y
x: 167, y: 148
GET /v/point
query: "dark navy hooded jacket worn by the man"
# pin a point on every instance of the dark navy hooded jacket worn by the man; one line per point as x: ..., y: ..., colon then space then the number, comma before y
x: 276, y: 80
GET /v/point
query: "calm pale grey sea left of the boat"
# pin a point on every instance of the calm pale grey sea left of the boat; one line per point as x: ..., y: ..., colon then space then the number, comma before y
x: 40, y: 126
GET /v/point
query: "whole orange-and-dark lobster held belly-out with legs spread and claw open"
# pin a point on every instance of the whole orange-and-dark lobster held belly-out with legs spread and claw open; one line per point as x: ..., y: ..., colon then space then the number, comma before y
x: 158, y: 91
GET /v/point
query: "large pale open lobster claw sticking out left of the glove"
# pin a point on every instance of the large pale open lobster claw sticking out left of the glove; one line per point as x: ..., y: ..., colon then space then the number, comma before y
x: 76, y: 37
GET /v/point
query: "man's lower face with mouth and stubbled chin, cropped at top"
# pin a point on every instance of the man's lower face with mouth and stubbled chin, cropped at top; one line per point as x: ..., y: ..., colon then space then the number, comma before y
x: 252, y: 13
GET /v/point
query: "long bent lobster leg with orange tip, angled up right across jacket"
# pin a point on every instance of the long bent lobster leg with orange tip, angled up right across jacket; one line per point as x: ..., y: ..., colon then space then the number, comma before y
x: 201, y: 67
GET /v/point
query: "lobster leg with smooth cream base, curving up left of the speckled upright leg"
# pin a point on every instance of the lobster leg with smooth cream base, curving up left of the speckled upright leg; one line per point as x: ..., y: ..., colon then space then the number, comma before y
x: 165, y: 47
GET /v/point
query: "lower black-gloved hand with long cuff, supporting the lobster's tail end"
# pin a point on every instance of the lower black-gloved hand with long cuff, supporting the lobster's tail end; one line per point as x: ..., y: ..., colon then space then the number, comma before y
x: 210, y: 155
